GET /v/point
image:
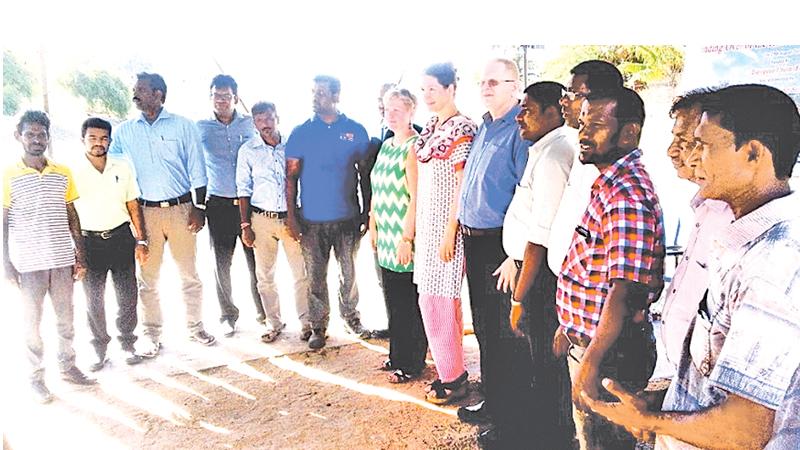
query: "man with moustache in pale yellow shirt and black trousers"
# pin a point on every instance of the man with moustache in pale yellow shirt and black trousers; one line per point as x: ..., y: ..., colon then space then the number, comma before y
x: 107, y: 207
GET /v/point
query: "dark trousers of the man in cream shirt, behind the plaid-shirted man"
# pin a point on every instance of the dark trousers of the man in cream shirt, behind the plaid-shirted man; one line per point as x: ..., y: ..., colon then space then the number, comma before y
x: 551, y: 413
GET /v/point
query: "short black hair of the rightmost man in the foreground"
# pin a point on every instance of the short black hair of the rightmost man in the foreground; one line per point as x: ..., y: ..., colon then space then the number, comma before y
x: 762, y: 113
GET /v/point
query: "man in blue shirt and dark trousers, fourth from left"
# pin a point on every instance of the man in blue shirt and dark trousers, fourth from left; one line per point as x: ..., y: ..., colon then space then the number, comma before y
x: 222, y: 136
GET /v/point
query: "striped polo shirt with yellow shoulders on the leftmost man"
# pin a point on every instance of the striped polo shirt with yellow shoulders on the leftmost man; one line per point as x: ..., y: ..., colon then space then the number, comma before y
x: 38, y: 228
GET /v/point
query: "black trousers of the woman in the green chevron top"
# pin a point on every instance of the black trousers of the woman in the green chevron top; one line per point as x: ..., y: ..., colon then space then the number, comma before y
x: 408, y: 344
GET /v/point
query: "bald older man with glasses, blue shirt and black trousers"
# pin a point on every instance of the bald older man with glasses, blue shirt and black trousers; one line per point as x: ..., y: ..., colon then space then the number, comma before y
x: 494, y: 167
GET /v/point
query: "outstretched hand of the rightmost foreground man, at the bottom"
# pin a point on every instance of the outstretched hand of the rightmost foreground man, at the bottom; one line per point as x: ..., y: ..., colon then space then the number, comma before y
x: 630, y: 412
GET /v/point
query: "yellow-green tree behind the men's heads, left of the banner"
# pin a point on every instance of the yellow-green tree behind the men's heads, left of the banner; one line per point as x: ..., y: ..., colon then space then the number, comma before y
x: 641, y: 65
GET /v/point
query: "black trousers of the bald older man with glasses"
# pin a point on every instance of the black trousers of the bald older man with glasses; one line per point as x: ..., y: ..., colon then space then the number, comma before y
x: 505, y: 358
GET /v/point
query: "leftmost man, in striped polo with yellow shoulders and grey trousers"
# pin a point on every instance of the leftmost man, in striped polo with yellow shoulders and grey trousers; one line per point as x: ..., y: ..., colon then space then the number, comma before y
x: 42, y: 246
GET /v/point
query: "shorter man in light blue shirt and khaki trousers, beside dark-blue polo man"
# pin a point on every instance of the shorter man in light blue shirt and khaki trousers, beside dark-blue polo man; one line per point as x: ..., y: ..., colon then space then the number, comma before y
x: 261, y: 186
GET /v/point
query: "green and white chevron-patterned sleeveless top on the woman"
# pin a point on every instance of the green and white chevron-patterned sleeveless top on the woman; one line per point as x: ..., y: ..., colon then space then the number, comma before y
x: 390, y: 199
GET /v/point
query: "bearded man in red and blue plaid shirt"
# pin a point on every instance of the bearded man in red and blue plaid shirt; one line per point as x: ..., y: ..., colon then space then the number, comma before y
x: 614, y: 267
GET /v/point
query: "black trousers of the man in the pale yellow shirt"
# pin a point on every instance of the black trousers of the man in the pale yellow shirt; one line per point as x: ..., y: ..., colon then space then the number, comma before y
x: 115, y: 255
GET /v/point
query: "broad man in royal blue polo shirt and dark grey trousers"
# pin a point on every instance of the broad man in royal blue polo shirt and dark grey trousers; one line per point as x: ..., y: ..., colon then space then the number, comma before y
x: 327, y: 154
